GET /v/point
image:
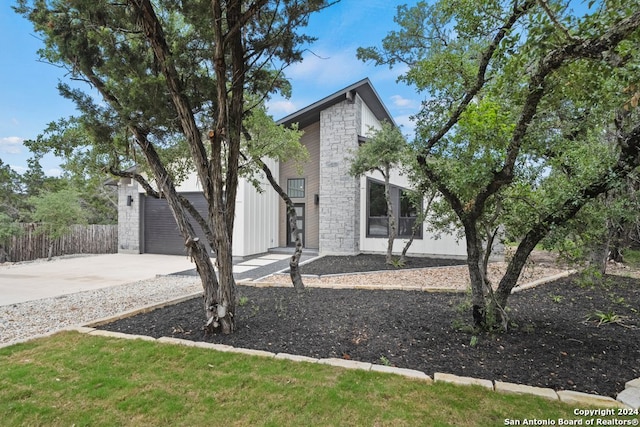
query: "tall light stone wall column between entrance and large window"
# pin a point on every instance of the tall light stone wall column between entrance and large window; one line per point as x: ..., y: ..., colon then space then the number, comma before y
x: 339, y: 226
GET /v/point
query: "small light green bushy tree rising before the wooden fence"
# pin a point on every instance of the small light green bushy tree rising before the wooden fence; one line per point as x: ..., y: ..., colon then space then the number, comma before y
x: 58, y: 211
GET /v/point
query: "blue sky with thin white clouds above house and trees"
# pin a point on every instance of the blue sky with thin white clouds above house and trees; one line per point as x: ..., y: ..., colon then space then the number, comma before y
x: 29, y: 99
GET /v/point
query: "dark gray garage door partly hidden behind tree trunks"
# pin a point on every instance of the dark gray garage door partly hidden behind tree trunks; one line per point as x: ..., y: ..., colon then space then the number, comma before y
x: 161, y: 235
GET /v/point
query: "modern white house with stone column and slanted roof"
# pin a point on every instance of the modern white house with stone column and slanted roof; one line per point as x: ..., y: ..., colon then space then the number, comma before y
x: 337, y: 213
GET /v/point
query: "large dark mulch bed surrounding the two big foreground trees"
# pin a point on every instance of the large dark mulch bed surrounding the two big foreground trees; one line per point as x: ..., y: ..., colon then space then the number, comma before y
x: 555, y: 340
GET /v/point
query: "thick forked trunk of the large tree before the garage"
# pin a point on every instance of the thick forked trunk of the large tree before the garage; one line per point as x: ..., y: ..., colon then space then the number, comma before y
x: 219, y: 187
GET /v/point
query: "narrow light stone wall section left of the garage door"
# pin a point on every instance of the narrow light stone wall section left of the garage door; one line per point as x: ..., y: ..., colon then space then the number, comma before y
x: 128, y: 218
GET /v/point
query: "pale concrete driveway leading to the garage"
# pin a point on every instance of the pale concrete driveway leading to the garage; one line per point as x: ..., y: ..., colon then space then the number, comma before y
x: 42, y: 279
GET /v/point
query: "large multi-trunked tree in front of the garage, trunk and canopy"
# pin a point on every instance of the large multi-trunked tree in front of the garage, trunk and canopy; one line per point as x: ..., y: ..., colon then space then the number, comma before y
x: 172, y: 78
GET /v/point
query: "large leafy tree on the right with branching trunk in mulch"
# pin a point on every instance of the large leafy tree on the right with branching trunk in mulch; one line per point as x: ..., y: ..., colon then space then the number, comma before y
x: 530, y: 111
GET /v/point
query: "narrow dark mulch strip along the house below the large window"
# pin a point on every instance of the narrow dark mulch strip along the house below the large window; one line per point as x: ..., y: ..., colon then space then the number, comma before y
x: 369, y: 262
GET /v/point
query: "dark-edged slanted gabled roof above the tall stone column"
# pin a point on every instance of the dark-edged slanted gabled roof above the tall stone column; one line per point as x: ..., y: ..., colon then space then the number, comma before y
x: 311, y: 113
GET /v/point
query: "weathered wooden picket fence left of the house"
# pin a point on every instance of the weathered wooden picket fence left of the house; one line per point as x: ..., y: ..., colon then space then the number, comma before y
x: 83, y: 239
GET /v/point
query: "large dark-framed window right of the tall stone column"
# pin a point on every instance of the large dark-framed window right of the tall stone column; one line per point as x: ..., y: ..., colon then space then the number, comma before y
x: 403, y: 209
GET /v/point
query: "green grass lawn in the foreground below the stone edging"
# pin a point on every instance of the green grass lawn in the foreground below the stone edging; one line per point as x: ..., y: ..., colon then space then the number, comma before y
x: 77, y: 379
